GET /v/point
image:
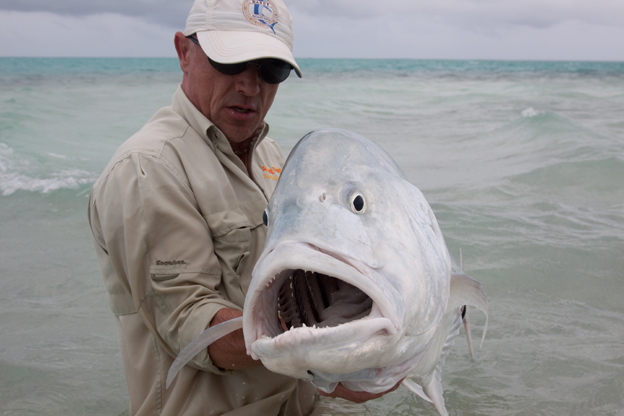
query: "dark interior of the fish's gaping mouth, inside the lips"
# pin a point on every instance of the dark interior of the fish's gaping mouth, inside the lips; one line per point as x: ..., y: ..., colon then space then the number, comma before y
x: 317, y: 300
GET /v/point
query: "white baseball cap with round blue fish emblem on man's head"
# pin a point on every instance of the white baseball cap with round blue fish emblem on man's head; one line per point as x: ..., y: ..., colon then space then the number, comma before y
x: 232, y: 31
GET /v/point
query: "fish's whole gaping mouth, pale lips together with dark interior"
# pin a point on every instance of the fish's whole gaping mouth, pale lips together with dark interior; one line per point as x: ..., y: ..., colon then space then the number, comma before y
x: 299, y: 286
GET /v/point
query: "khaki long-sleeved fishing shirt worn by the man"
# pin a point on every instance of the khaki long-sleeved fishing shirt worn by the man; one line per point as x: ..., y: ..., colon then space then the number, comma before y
x: 177, y: 223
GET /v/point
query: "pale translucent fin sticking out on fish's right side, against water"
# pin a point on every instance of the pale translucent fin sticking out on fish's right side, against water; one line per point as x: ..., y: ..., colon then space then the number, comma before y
x: 467, y: 291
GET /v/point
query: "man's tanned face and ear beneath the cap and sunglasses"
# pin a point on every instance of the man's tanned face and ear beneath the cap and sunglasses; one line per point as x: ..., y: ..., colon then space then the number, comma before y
x: 236, y: 104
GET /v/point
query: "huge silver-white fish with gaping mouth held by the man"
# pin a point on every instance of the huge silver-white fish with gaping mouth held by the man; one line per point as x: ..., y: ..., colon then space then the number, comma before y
x: 355, y: 284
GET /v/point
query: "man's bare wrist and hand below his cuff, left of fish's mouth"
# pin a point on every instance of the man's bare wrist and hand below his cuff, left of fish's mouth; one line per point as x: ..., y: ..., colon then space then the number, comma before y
x: 229, y: 352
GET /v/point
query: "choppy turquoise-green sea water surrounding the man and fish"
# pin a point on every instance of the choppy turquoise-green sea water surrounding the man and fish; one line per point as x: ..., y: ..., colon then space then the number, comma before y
x: 522, y: 162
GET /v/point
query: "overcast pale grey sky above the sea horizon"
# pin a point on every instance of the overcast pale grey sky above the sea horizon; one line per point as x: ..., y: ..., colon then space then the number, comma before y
x: 433, y: 29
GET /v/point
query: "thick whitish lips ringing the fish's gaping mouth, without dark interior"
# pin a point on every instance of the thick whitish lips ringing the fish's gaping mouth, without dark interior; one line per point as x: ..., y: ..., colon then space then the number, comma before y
x: 294, y: 255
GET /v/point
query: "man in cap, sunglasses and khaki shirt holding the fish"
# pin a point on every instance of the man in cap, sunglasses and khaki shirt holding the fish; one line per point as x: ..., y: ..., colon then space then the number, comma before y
x: 177, y: 218
